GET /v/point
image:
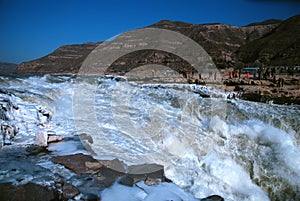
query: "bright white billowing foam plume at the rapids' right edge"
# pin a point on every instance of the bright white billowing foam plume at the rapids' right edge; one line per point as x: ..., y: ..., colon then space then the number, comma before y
x: 281, y: 143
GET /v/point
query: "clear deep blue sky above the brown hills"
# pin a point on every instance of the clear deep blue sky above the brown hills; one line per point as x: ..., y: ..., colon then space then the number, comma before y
x: 33, y: 28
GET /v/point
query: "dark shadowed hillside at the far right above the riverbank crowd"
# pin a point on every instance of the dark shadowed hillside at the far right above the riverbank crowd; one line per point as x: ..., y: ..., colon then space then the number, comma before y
x: 281, y: 46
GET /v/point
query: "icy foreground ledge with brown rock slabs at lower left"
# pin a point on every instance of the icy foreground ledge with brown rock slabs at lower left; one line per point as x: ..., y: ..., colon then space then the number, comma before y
x: 35, y: 172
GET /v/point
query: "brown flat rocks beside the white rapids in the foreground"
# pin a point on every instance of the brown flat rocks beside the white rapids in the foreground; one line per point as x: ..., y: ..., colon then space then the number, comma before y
x: 109, y: 171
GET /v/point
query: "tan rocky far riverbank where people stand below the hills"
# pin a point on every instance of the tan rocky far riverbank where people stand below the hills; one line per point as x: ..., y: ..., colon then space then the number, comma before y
x: 283, y: 89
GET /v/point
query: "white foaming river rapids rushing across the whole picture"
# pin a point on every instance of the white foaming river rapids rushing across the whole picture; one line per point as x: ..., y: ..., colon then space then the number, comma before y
x: 237, y: 149
